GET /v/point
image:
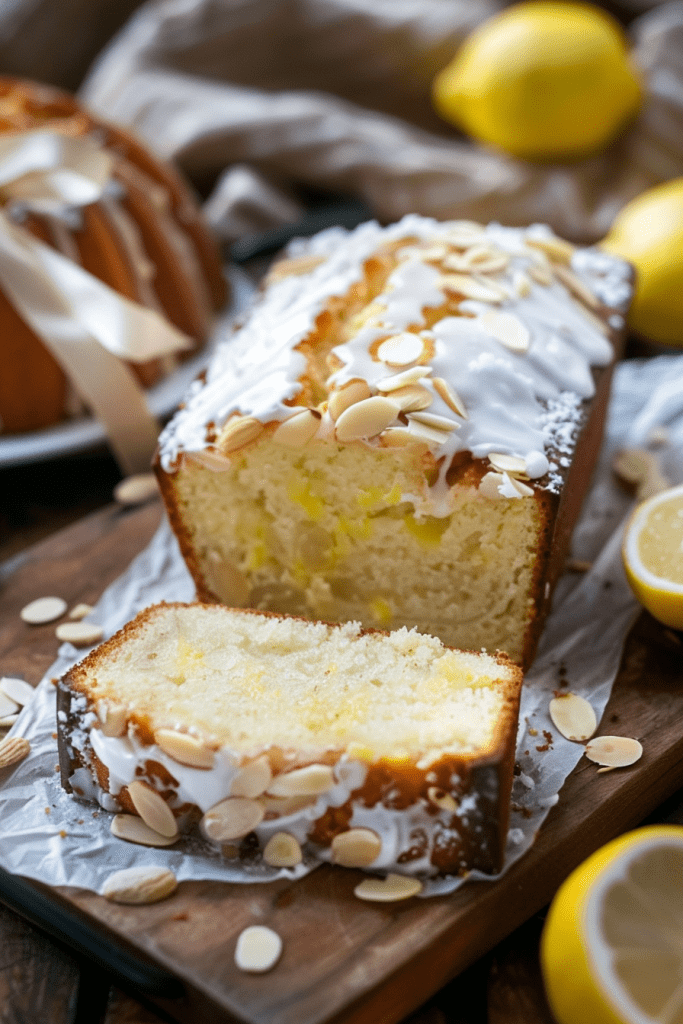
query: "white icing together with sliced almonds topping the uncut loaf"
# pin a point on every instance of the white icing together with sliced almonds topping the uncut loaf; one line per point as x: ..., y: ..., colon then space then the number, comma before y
x: 501, y: 369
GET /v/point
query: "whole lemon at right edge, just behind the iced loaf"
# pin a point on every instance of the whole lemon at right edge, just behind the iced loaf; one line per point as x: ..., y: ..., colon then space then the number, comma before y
x: 649, y: 233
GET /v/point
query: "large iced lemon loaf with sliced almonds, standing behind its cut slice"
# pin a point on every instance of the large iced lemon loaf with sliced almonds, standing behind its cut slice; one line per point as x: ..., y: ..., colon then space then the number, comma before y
x: 402, y: 432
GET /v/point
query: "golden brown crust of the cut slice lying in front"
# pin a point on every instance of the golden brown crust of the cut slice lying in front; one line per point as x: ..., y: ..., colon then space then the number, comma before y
x: 395, y: 785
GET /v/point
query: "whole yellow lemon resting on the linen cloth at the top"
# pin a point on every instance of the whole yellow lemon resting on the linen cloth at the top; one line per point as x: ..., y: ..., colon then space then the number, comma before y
x: 543, y: 81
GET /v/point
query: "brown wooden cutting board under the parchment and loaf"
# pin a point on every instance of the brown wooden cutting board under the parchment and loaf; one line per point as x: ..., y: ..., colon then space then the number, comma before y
x: 346, y: 961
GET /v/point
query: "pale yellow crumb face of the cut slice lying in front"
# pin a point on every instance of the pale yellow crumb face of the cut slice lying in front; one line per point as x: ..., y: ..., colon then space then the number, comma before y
x: 247, y: 681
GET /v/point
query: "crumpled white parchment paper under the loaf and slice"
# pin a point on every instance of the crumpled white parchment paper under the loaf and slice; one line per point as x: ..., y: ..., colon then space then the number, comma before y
x: 56, y: 839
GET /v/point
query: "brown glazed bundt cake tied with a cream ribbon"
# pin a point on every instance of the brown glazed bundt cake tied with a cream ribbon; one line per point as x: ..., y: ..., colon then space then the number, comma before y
x: 145, y: 238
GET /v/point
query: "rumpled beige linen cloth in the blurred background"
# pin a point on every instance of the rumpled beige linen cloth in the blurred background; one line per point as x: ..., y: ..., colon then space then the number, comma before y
x: 262, y: 97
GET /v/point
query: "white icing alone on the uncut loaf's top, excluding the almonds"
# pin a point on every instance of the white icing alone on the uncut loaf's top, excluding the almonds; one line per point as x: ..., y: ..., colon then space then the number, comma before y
x: 514, y: 399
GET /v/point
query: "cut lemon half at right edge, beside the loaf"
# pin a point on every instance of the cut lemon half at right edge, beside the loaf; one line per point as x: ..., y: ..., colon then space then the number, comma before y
x: 653, y: 554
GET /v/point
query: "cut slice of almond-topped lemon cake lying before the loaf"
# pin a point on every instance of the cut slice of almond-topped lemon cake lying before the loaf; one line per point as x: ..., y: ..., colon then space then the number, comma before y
x: 387, y: 751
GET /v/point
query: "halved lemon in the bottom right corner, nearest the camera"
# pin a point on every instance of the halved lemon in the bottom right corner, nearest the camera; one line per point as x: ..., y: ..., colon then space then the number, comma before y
x: 612, y: 951
